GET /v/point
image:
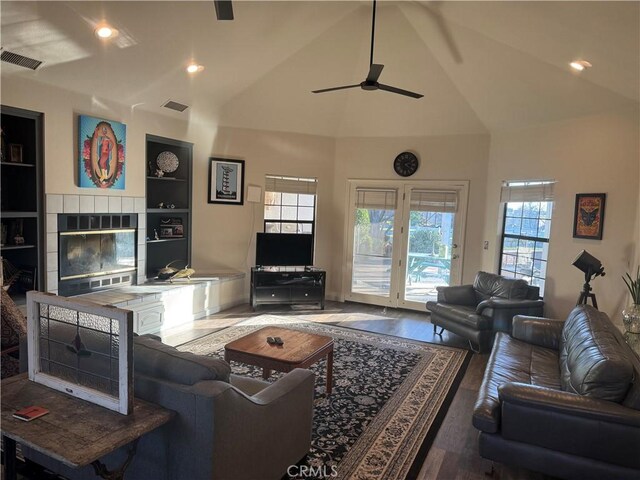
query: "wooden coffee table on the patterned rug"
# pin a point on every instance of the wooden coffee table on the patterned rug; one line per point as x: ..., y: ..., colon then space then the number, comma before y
x: 300, y: 350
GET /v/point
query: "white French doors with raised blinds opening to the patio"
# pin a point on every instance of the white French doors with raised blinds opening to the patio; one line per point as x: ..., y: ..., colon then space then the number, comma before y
x: 404, y: 240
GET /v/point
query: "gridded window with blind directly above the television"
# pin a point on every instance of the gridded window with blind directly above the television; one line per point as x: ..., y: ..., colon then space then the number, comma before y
x: 289, y: 204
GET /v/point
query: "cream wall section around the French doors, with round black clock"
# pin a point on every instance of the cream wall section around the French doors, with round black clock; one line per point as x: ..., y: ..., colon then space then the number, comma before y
x: 455, y: 157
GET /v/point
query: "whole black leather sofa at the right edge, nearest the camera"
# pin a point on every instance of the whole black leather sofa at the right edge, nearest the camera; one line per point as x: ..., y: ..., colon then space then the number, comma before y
x: 562, y: 398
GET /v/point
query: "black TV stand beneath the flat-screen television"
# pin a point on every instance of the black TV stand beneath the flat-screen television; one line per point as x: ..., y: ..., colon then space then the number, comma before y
x: 287, y: 286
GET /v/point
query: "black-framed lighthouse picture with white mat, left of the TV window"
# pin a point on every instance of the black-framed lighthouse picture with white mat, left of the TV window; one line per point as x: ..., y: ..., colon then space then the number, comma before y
x: 226, y: 181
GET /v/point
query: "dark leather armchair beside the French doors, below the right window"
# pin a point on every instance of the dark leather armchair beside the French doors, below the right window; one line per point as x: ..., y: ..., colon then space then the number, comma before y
x: 477, y: 311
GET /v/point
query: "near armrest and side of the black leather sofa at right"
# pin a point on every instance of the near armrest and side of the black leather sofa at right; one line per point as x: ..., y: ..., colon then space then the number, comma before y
x: 570, y: 423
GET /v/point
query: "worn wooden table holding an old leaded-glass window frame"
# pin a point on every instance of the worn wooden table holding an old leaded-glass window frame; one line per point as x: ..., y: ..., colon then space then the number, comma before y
x: 74, y: 432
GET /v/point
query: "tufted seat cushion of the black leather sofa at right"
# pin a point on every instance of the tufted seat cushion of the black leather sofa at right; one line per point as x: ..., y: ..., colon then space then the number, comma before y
x: 512, y: 360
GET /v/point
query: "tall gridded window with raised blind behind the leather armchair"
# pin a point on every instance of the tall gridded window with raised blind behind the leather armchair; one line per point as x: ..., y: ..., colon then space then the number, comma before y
x: 525, y: 232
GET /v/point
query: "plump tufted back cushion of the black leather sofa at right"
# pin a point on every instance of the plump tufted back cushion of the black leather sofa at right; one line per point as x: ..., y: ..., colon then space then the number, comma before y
x: 592, y: 362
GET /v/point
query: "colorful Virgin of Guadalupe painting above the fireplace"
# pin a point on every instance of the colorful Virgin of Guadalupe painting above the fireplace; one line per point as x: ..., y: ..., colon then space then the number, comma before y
x: 102, y: 153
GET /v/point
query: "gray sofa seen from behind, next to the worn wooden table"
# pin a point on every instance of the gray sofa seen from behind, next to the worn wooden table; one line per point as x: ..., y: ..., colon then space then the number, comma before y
x: 225, y: 426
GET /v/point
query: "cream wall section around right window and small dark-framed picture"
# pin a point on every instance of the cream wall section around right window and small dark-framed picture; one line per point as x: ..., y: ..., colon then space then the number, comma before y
x: 596, y: 154
